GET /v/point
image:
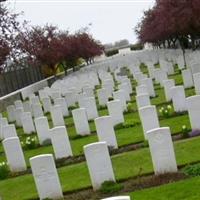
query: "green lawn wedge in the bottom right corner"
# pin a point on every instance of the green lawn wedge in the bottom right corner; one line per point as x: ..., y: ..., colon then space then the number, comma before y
x: 181, y: 190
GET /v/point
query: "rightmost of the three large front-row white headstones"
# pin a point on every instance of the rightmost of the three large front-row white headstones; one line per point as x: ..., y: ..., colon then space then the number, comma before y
x: 162, y: 150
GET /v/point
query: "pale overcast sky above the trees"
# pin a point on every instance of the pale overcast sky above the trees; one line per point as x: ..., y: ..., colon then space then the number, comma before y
x: 110, y: 20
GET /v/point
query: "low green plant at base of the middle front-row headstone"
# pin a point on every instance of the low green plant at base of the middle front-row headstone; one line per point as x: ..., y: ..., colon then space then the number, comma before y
x: 110, y: 187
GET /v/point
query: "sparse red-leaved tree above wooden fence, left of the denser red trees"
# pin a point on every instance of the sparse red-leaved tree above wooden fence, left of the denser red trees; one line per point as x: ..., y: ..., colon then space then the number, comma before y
x: 42, y: 45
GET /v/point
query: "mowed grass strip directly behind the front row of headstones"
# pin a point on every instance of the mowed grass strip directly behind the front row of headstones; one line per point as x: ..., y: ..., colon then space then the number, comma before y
x: 126, y: 165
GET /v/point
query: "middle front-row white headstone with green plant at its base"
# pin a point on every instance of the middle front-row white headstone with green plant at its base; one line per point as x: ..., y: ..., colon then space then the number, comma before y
x: 100, y: 169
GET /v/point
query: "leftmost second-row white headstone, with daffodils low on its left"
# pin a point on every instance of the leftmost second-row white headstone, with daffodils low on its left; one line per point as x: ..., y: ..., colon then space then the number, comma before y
x: 14, y: 154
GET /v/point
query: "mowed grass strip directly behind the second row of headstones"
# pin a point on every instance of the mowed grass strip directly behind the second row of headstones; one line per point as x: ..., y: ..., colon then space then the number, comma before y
x: 124, y: 137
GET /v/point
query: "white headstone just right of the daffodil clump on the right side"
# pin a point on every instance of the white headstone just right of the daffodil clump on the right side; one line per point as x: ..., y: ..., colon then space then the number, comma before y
x: 178, y: 98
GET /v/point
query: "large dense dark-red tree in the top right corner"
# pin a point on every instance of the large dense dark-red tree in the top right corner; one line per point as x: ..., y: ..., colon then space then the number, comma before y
x: 170, y: 21
